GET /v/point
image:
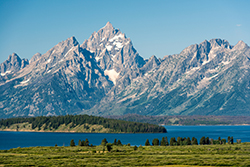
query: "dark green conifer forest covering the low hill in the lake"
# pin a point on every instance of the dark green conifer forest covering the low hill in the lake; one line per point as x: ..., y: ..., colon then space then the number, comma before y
x: 53, y: 122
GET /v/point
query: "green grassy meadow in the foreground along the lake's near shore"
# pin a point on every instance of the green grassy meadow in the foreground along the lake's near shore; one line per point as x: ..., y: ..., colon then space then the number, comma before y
x: 171, y: 156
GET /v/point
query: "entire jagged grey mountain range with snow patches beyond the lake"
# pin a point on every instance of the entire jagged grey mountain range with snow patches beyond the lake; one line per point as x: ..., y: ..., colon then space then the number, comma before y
x: 106, y: 76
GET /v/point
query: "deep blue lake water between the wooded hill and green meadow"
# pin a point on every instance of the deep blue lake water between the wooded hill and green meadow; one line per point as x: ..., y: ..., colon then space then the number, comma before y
x: 10, y: 140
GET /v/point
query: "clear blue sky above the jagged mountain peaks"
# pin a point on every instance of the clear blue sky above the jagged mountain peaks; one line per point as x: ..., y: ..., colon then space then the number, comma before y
x: 156, y: 27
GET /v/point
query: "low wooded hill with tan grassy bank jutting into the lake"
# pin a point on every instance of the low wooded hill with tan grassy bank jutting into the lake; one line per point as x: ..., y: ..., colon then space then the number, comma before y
x: 77, y: 123
